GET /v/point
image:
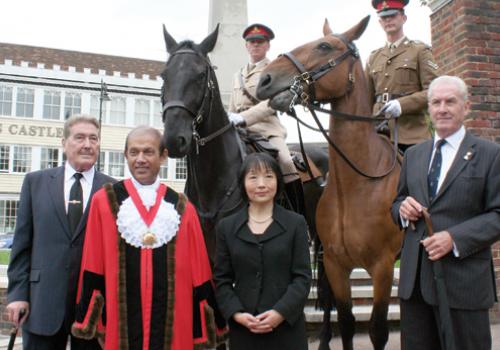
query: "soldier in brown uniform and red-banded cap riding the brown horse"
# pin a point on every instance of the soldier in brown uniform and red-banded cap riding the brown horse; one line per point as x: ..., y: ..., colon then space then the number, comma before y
x: 399, y: 74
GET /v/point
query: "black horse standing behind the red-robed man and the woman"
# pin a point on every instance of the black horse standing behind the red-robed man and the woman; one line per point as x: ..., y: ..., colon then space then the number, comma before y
x: 197, y: 126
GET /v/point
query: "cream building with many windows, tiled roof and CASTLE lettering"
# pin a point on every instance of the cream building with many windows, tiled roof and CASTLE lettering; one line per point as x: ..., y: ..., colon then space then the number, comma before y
x: 40, y: 87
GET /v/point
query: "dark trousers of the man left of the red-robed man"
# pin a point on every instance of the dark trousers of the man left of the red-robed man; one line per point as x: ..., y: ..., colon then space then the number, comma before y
x: 57, y: 341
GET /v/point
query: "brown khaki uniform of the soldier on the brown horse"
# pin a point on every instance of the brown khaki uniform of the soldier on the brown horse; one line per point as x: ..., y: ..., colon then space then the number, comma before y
x: 405, y: 75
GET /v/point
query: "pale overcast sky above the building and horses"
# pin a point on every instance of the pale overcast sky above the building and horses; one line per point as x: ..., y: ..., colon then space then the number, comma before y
x: 133, y: 28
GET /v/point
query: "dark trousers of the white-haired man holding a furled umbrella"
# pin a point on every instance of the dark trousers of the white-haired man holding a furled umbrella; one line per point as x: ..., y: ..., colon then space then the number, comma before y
x: 420, y: 325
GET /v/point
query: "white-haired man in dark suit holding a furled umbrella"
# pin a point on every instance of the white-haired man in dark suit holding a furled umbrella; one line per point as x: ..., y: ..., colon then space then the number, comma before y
x: 458, y: 181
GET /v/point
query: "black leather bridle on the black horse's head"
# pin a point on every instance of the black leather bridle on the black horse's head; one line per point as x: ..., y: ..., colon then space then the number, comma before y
x: 207, y: 100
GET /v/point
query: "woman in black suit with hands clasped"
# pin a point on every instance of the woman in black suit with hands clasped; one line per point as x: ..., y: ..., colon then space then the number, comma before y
x: 262, y: 268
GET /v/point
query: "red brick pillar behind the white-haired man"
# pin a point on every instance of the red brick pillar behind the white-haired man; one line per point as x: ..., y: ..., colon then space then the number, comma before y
x: 466, y: 43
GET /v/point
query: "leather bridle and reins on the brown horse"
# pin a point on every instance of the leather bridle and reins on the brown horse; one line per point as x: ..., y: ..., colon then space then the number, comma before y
x: 309, y: 78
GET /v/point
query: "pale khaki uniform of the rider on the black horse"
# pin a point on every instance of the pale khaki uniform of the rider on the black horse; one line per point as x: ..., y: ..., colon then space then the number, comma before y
x: 259, y: 117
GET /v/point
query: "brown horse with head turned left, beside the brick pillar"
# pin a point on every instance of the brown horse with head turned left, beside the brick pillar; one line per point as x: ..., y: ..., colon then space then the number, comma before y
x: 353, y: 216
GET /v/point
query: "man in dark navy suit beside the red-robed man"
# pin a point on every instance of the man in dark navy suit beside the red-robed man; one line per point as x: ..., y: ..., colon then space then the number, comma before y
x: 47, y: 248
